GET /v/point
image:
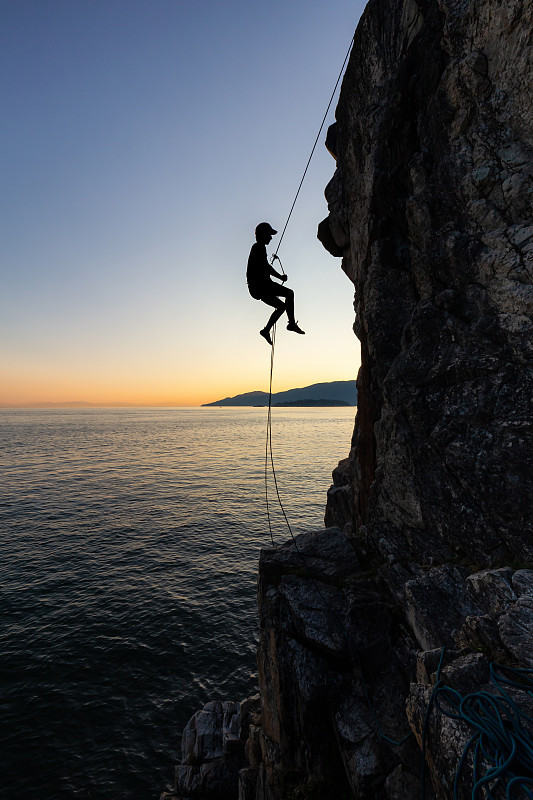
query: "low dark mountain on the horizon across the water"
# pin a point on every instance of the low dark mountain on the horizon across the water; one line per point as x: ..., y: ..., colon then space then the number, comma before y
x: 318, y: 394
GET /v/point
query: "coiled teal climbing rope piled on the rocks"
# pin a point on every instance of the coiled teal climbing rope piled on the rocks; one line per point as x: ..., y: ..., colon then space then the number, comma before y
x: 501, y: 747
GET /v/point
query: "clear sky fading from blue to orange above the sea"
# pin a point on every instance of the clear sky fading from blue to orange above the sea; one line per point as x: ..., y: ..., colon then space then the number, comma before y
x: 141, y: 143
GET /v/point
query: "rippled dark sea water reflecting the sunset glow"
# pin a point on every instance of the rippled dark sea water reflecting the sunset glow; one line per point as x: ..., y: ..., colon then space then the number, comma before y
x: 128, y: 595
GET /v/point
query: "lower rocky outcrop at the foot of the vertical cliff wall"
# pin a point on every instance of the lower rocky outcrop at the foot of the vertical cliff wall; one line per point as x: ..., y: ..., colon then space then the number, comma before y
x: 347, y: 666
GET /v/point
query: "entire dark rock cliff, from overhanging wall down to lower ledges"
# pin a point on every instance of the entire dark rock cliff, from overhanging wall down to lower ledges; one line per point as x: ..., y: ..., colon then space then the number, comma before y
x: 429, y: 540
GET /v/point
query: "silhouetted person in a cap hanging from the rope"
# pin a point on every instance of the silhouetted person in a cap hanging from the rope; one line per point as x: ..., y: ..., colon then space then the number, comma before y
x: 261, y: 287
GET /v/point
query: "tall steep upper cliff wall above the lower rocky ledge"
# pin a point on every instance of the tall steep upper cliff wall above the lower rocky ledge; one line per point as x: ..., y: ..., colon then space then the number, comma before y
x: 431, y: 206
